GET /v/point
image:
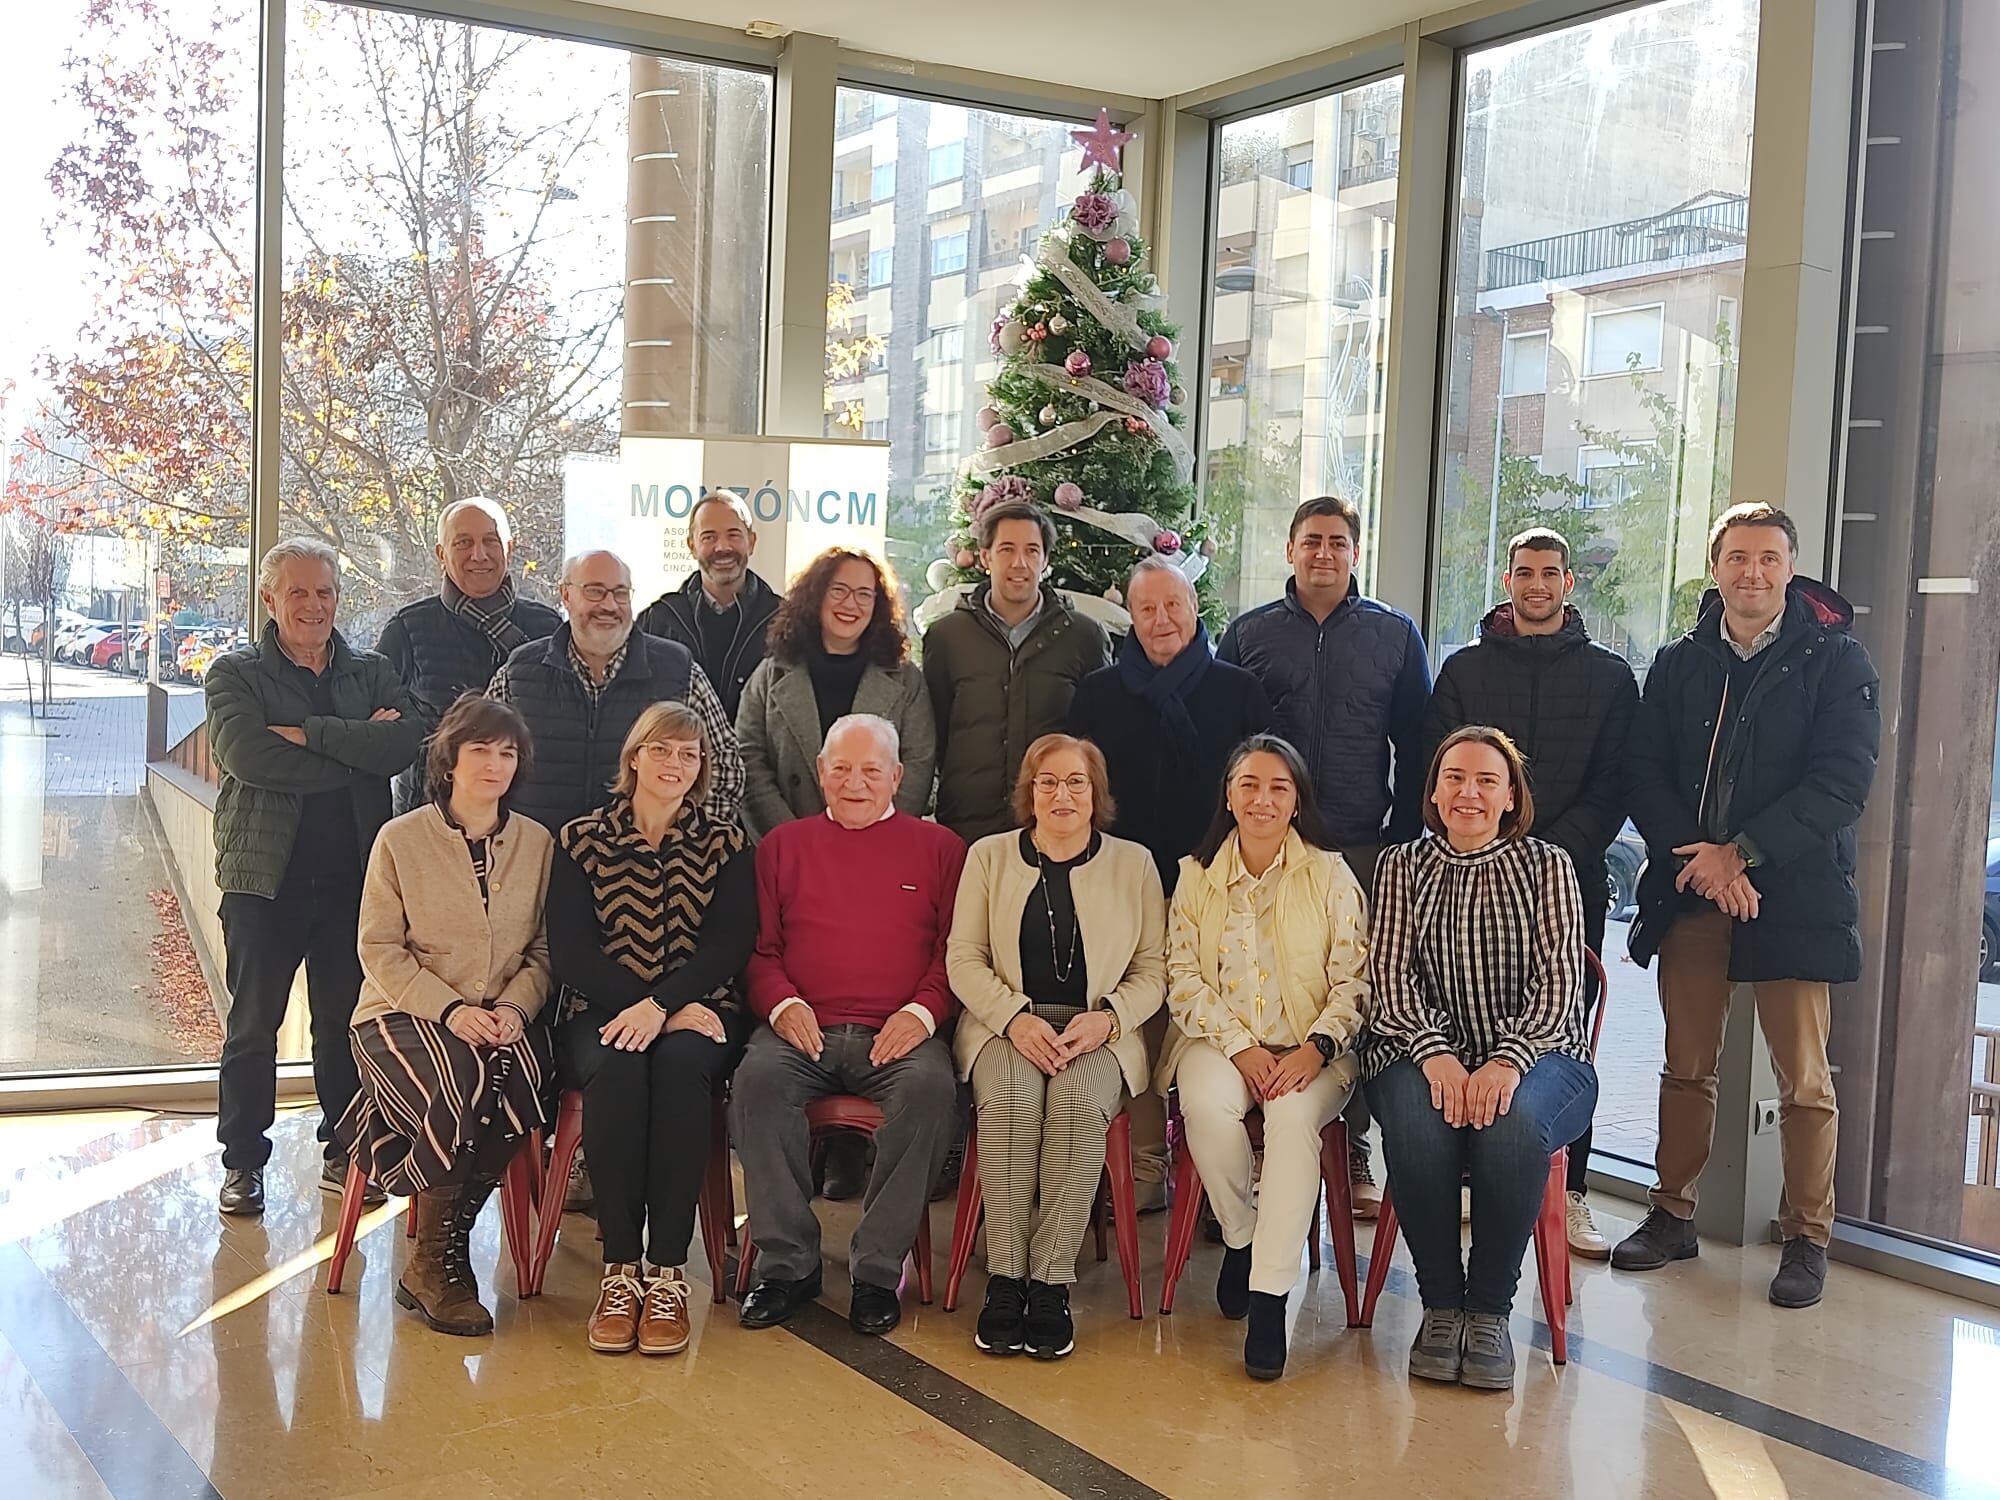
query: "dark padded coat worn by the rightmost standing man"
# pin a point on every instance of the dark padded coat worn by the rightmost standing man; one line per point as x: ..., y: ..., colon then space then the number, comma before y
x: 1789, y: 771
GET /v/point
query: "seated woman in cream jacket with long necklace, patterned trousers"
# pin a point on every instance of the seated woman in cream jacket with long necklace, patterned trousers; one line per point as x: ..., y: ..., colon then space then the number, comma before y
x: 1057, y: 957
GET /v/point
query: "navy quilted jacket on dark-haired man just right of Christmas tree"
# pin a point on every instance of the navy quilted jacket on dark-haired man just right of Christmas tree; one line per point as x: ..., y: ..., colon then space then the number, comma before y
x: 1345, y: 691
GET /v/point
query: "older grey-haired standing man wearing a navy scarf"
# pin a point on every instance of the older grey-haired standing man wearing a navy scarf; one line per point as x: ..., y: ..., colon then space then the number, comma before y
x: 1165, y: 715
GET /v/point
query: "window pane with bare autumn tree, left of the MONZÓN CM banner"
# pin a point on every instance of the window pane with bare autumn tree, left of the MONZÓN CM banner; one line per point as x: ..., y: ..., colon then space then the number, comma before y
x: 501, y: 253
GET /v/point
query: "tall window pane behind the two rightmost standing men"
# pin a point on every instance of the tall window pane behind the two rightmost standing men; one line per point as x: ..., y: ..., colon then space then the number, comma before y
x: 1591, y: 383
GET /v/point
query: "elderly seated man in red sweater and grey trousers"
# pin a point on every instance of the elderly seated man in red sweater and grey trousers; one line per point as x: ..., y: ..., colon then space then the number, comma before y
x: 849, y: 975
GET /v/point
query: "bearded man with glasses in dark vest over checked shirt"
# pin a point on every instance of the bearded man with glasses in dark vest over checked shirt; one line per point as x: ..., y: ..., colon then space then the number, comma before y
x: 587, y: 685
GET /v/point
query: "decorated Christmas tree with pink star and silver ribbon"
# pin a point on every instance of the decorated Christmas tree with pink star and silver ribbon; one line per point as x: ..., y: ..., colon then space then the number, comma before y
x: 1087, y: 411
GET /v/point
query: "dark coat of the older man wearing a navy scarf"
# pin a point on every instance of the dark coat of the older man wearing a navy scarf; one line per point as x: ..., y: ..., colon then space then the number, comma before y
x: 1163, y: 803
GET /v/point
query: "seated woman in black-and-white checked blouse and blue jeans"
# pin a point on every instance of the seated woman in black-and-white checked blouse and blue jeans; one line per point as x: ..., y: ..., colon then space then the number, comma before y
x: 1477, y: 1057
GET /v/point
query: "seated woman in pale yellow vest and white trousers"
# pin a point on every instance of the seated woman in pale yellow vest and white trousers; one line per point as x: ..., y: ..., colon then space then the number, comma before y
x: 1267, y: 973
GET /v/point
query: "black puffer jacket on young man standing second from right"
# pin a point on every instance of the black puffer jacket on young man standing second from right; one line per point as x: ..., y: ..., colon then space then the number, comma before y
x: 1569, y: 705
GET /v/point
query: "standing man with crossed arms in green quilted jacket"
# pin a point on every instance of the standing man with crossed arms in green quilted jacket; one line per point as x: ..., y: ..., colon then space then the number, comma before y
x: 307, y: 733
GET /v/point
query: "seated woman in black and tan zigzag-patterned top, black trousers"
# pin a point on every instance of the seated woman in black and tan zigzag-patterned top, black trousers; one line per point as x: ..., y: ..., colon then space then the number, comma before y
x: 651, y: 921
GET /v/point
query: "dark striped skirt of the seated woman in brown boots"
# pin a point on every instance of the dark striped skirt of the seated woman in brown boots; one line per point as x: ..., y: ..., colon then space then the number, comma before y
x: 431, y: 1099
